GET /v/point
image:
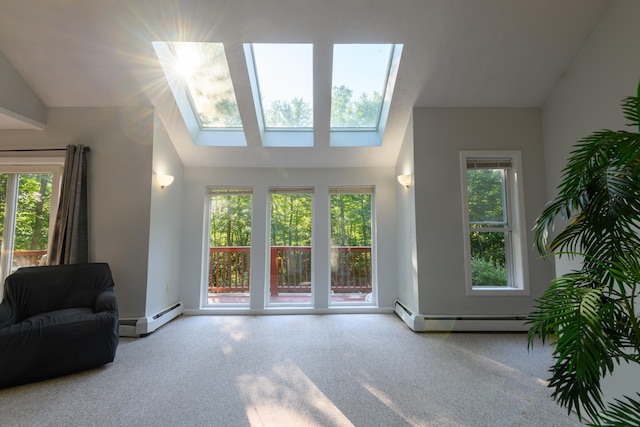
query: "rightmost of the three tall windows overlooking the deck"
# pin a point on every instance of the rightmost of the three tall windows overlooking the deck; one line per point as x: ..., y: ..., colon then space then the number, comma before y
x: 351, y: 237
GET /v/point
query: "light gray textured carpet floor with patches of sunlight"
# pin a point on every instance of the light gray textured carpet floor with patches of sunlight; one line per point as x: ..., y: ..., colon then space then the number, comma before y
x: 313, y: 370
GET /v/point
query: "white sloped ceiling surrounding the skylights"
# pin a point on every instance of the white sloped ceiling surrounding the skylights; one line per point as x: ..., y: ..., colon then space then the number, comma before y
x: 457, y: 53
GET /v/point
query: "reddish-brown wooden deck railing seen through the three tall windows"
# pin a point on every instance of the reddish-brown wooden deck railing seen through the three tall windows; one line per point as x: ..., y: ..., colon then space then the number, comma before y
x: 290, y: 269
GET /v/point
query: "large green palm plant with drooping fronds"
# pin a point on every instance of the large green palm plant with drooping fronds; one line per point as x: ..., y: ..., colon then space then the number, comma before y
x: 590, y: 315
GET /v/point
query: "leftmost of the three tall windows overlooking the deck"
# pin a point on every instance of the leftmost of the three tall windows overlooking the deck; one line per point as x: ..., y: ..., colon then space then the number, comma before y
x: 229, y: 245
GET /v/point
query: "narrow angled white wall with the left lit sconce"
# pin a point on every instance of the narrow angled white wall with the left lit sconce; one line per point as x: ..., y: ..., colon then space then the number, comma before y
x: 165, y: 235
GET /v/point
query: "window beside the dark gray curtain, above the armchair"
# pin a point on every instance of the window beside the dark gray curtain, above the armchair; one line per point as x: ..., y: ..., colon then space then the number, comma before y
x: 28, y: 201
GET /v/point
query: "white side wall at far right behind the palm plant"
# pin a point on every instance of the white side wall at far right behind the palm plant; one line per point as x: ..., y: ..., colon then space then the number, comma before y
x: 606, y: 70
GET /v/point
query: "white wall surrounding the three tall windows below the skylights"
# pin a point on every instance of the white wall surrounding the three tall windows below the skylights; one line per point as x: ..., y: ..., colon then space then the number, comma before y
x: 194, y: 219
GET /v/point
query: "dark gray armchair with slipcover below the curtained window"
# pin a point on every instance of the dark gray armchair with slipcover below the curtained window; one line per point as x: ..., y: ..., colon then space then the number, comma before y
x: 55, y: 320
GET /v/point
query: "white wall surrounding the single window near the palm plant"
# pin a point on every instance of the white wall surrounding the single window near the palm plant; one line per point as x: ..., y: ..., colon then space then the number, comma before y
x: 439, y: 136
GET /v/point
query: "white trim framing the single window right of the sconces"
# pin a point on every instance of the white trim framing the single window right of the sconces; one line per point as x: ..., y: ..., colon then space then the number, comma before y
x: 515, y: 202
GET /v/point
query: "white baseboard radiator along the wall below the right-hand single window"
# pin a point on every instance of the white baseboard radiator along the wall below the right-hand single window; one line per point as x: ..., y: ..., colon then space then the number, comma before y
x: 463, y: 323
